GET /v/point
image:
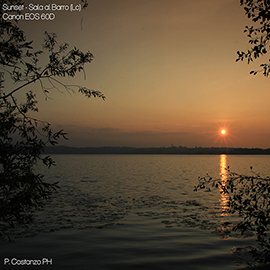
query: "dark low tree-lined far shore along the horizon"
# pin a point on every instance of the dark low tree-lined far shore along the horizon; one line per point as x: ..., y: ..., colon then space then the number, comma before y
x: 173, y: 150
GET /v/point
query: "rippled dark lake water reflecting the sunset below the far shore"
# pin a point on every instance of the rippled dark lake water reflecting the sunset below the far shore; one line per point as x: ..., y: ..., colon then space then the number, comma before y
x: 133, y: 212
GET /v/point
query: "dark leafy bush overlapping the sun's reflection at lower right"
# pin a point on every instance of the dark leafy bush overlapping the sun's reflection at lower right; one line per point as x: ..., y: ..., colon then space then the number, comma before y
x: 249, y: 197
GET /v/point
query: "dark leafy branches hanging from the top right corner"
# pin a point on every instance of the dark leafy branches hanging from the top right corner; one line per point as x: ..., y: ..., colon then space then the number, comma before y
x: 259, y: 34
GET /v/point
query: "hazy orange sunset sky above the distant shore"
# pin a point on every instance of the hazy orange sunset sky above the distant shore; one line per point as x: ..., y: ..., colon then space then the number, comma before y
x: 168, y: 71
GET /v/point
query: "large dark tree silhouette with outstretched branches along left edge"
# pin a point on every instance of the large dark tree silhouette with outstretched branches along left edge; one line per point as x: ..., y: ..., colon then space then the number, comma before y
x: 22, y: 136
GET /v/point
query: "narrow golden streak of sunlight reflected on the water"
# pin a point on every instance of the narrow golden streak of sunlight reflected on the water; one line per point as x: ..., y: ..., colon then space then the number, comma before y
x: 223, y: 177
